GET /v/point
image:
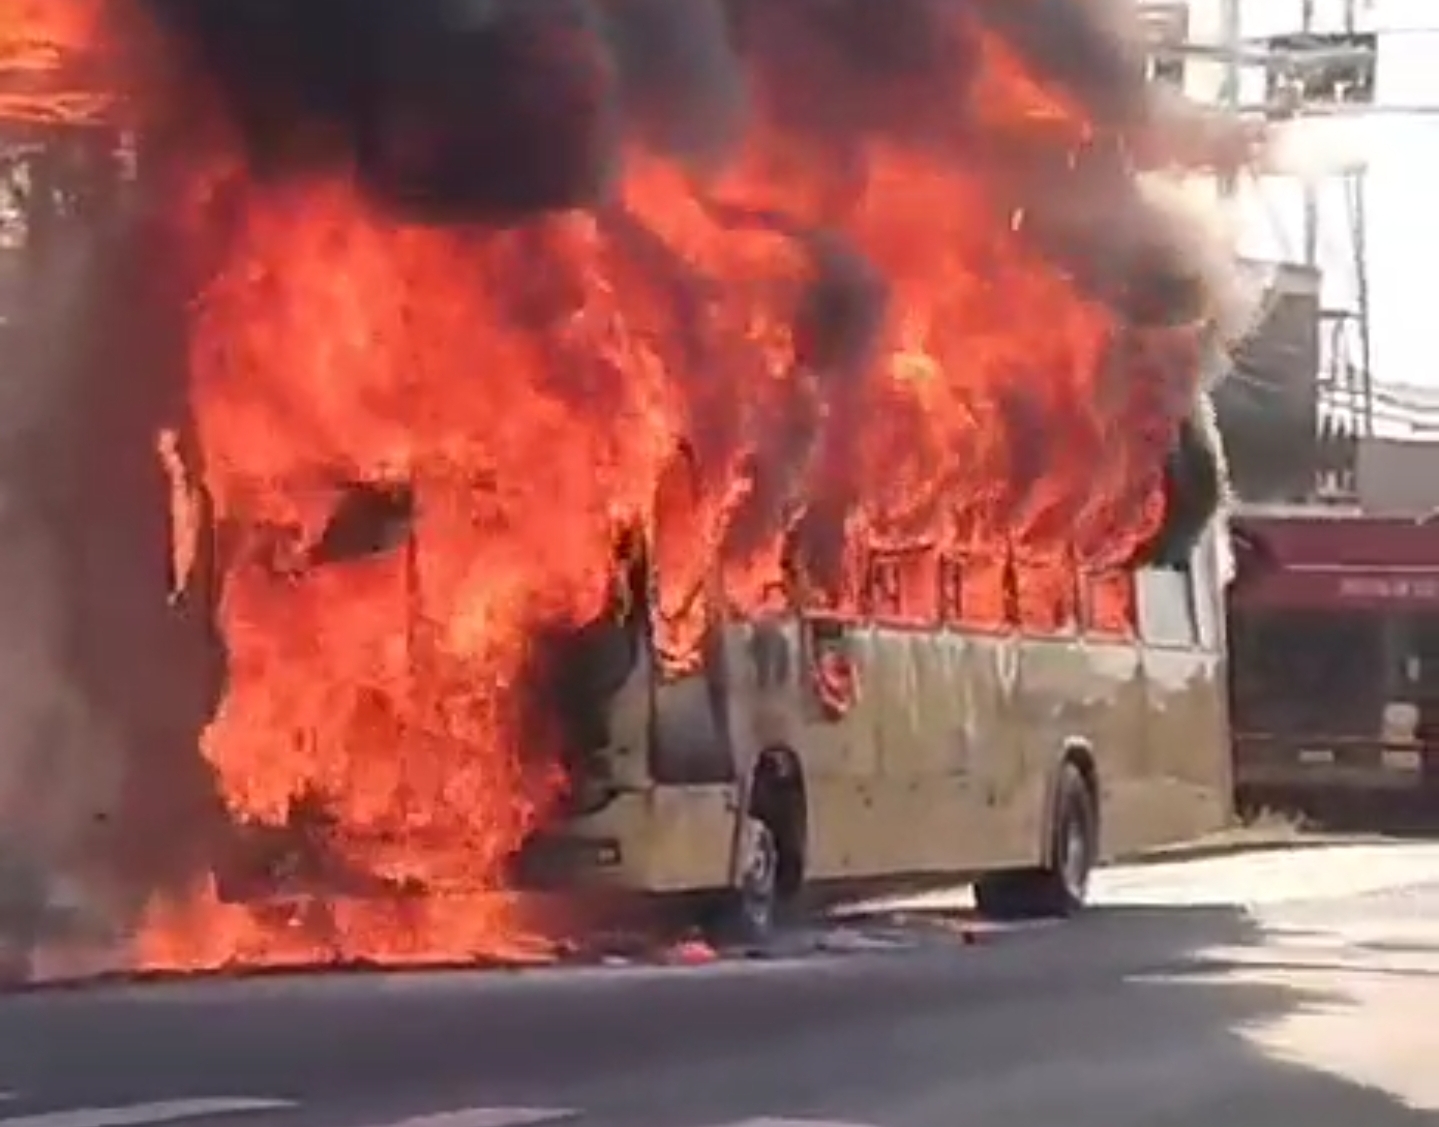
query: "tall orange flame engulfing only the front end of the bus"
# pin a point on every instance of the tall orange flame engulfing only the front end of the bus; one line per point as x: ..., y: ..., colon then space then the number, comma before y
x: 335, y: 350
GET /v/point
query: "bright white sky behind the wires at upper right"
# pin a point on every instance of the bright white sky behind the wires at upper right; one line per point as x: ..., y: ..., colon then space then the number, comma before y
x: 1401, y: 153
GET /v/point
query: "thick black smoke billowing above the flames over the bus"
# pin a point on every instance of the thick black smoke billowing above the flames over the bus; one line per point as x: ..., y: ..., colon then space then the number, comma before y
x: 501, y: 112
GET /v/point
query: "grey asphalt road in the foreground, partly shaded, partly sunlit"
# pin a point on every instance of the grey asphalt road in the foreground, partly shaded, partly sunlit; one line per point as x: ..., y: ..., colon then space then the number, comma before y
x: 1274, y: 990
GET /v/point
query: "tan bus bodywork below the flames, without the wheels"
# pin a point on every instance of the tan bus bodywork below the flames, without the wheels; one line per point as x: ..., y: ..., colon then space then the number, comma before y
x: 917, y: 746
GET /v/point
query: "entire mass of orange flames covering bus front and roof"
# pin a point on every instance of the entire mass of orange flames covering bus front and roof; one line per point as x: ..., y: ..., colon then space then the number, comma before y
x: 517, y: 397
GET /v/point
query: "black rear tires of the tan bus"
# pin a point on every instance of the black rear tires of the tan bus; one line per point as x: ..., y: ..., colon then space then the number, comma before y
x: 1058, y: 889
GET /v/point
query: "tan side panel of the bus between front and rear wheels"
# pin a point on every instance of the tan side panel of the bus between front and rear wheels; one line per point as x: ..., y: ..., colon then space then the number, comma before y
x: 914, y: 774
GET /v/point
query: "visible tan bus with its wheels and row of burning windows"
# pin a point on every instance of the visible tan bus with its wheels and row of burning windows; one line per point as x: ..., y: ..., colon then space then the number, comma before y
x: 807, y: 749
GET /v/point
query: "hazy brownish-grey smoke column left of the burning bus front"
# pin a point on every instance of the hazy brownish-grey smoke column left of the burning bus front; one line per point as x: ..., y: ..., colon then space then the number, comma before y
x: 104, y: 684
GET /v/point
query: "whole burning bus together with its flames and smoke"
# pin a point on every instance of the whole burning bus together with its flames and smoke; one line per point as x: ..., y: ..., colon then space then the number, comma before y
x: 684, y: 445
